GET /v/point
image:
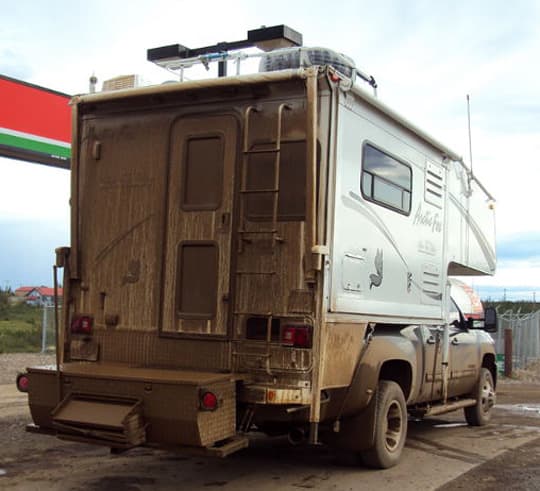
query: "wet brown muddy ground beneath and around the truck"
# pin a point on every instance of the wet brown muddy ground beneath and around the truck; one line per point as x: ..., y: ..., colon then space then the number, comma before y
x: 441, y: 453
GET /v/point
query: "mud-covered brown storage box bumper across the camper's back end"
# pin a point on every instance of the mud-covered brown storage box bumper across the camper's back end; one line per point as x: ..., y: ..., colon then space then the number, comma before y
x: 153, y: 406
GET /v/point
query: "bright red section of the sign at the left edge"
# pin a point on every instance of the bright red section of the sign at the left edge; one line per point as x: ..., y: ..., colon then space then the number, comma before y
x: 34, y: 110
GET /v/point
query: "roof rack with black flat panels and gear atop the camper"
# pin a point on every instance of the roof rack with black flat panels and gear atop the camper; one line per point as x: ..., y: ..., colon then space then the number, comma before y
x: 275, y: 41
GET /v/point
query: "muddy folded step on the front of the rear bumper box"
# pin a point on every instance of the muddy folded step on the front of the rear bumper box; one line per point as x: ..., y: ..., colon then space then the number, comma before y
x: 101, y: 420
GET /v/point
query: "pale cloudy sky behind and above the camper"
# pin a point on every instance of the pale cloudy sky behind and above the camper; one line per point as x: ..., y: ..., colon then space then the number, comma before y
x: 425, y: 55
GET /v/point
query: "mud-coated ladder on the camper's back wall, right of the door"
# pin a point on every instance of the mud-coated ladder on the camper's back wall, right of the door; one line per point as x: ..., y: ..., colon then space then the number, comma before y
x: 243, y: 232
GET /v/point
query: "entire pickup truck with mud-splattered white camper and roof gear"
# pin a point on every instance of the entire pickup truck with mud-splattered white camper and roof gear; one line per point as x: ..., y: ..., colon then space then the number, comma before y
x: 267, y: 252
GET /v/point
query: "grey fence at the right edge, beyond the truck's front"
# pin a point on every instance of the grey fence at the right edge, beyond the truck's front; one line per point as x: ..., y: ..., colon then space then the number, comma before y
x: 525, y: 337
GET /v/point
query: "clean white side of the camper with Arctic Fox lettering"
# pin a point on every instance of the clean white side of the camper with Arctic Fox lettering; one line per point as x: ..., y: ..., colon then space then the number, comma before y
x: 392, y: 250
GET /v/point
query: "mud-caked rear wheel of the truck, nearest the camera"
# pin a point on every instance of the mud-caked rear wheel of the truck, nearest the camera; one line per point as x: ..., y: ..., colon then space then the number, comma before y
x: 390, y: 427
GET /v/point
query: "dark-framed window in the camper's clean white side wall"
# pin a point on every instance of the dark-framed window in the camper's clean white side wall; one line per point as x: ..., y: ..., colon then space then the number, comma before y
x: 386, y: 180
